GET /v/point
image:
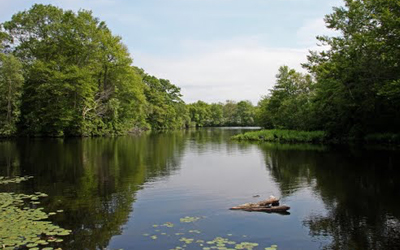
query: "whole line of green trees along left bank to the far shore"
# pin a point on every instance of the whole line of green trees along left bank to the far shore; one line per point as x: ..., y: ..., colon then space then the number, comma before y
x: 65, y: 74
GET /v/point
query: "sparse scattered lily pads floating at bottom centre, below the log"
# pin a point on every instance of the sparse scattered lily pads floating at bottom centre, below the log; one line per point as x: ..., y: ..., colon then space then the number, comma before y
x: 218, y: 243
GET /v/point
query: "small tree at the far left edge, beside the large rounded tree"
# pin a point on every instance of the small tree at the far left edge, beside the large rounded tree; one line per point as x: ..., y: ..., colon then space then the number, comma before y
x: 11, y: 81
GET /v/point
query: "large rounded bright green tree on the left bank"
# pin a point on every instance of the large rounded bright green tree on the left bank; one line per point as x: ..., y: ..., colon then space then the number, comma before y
x: 79, y: 79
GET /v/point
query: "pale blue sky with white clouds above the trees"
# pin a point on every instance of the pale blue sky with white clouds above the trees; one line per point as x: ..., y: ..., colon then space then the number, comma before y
x: 214, y: 50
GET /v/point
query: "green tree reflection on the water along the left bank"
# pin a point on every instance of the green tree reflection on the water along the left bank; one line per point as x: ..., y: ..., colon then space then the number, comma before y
x: 93, y: 180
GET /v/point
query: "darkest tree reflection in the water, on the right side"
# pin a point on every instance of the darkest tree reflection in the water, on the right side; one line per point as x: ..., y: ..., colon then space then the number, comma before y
x: 360, y: 189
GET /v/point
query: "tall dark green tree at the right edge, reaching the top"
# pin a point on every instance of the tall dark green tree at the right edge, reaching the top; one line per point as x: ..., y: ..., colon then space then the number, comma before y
x: 358, y: 87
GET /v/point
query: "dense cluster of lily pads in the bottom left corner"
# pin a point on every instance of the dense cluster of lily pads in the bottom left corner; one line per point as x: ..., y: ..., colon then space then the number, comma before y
x: 22, y: 224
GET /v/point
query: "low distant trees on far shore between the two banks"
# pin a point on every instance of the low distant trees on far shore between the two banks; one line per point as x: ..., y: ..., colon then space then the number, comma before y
x: 222, y: 114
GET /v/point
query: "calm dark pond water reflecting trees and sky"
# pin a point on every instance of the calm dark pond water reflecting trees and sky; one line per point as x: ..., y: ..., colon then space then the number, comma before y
x: 113, y: 190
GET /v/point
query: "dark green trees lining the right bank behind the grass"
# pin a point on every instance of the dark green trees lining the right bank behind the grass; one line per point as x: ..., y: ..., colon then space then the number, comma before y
x: 353, y: 87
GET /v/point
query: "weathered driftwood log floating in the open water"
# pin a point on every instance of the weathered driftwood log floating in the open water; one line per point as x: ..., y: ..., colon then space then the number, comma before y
x: 271, y: 205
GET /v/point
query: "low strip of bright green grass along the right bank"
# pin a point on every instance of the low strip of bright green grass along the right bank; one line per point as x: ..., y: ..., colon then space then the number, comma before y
x: 276, y: 135
